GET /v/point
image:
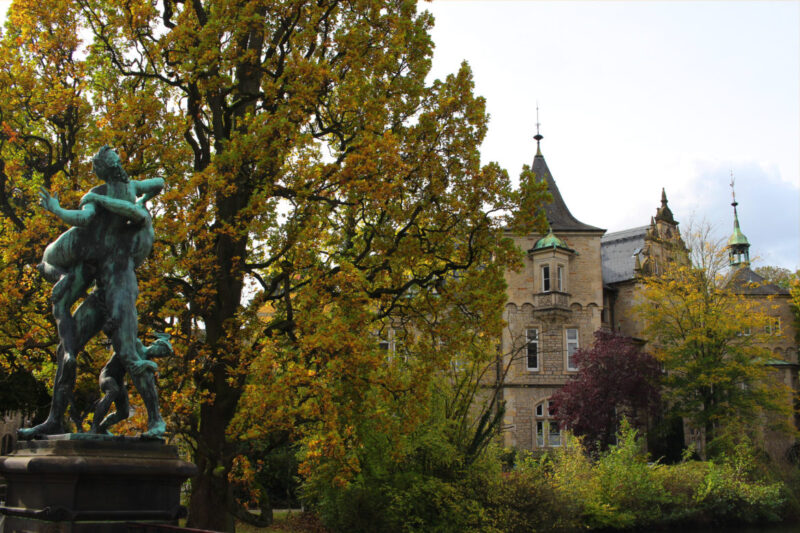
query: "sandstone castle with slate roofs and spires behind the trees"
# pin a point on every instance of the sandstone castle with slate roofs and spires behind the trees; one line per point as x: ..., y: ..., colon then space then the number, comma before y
x: 577, y: 279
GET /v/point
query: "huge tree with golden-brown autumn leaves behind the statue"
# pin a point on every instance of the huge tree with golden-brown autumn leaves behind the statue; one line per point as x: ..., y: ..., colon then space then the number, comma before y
x: 321, y: 196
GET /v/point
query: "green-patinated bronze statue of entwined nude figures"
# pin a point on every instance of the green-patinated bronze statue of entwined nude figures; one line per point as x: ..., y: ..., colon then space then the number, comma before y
x: 112, y: 234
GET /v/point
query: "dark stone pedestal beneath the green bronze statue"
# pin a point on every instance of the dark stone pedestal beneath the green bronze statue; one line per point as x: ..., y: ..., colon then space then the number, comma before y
x: 82, y: 483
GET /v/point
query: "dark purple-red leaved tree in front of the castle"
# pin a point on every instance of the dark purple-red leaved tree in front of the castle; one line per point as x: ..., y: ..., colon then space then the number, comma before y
x: 615, y: 379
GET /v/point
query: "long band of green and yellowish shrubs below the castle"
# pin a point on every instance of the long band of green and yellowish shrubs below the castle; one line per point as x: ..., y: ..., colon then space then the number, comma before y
x: 434, y: 489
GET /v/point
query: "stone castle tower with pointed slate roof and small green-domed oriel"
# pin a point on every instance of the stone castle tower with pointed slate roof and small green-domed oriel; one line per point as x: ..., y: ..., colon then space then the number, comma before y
x: 554, y: 307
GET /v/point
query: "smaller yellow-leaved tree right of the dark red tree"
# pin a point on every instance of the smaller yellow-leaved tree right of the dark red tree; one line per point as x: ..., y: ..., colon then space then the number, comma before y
x: 712, y: 344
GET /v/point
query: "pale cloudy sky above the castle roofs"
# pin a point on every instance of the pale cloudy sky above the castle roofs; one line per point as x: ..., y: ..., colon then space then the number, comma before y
x: 636, y: 96
